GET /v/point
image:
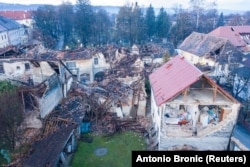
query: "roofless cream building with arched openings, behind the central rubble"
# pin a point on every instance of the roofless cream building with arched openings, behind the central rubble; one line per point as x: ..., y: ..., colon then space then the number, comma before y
x: 84, y: 64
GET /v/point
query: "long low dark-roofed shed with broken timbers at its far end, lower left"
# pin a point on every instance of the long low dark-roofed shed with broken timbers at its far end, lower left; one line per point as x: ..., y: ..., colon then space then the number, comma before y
x: 60, y: 133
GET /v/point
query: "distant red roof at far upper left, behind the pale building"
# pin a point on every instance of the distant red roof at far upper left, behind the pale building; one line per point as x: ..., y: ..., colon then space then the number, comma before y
x: 17, y: 15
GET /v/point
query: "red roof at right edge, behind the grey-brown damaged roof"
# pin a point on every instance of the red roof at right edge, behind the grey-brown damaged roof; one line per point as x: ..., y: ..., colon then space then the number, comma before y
x: 232, y: 33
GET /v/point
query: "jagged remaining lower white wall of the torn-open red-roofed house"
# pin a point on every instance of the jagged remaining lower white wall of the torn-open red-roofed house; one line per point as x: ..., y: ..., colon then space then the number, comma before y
x: 214, y: 137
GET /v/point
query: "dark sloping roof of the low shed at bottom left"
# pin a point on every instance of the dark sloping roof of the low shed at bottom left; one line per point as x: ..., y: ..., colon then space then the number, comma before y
x: 47, y: 151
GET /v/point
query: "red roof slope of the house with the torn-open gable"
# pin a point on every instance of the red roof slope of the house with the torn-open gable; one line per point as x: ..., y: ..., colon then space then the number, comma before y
x: 172, y: 78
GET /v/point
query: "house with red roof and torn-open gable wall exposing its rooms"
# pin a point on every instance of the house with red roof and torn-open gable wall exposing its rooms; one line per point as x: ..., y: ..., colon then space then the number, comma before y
x: 190, y: 109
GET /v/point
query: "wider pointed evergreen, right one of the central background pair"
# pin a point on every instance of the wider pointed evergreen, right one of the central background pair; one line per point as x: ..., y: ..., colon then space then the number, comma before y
x: 162, y: 24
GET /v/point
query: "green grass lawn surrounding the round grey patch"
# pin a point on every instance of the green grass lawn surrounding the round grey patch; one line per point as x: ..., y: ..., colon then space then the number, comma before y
x: 119, y: 153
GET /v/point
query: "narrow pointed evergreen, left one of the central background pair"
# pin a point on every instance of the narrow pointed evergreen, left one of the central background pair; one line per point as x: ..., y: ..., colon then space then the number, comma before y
x: 150, y: 21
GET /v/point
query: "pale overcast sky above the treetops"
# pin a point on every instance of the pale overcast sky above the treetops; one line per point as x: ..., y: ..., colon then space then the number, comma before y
x: 221, y: 4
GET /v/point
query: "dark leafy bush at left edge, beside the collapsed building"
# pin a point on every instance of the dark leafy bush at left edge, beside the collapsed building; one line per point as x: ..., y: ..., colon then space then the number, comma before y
x: 11, y: 115
